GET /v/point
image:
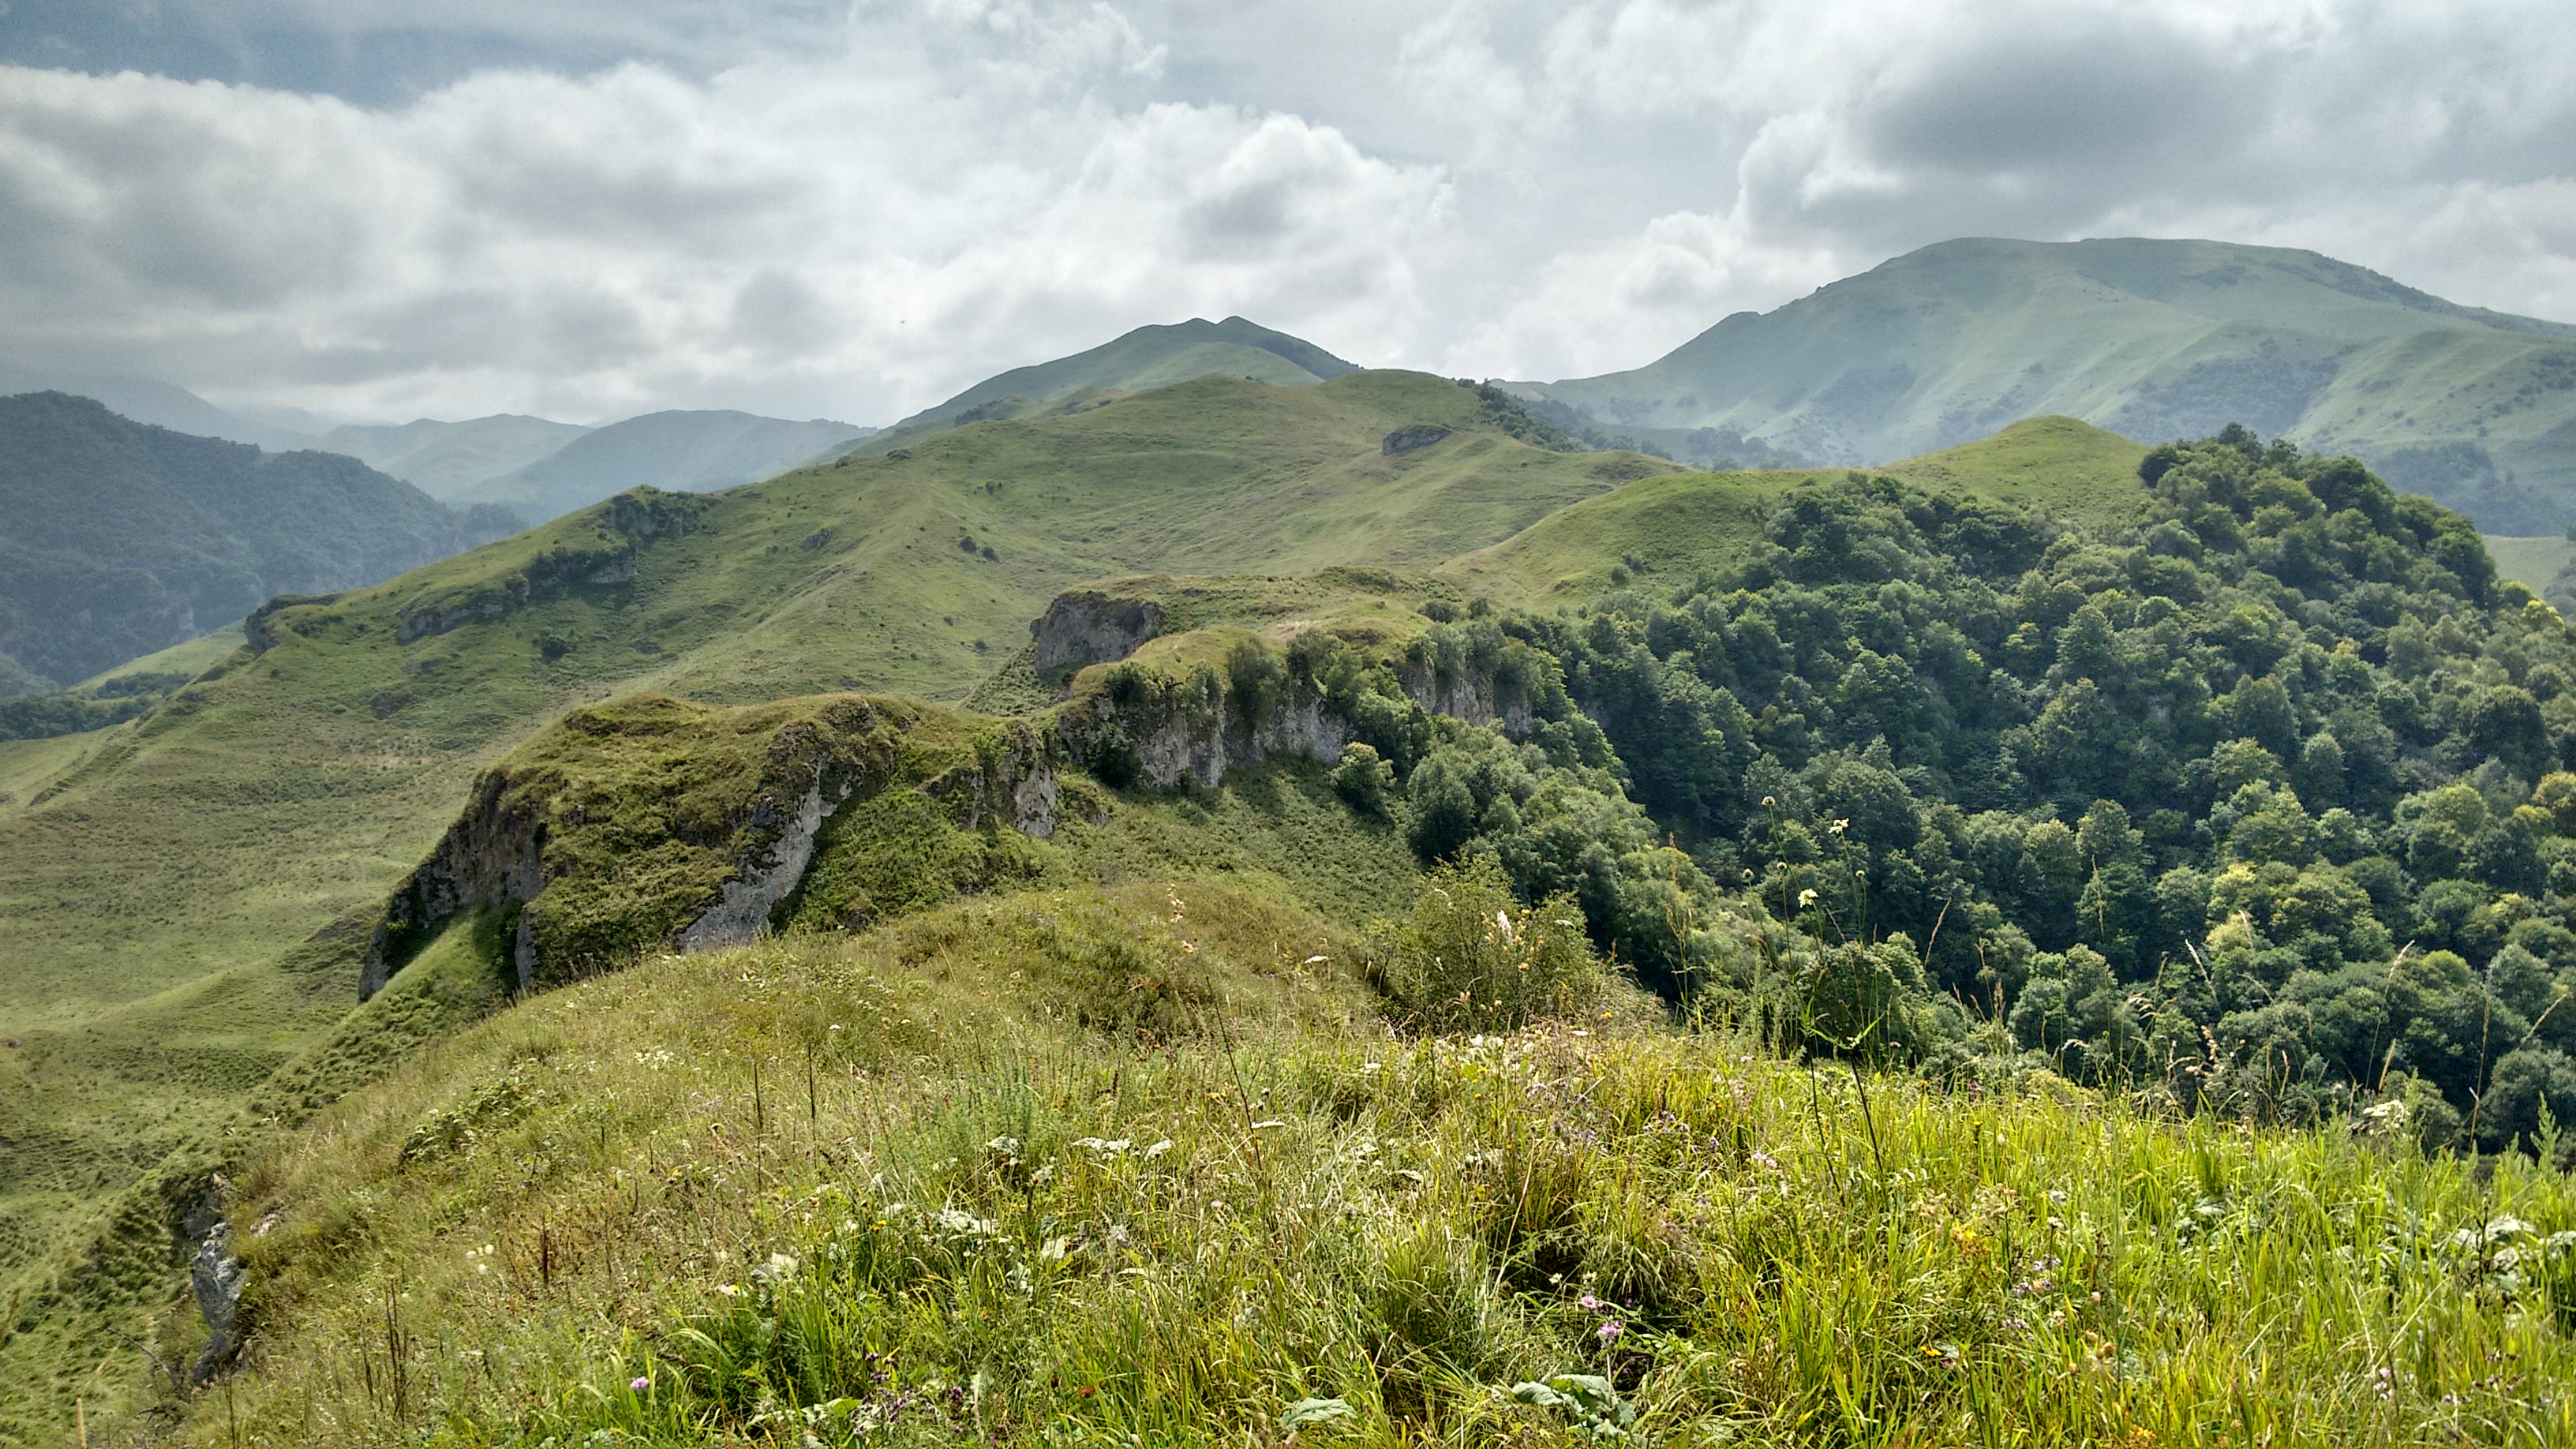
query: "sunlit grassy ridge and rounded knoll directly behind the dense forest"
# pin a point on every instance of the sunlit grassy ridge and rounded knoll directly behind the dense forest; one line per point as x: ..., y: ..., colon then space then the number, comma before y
x: 1689, y: 522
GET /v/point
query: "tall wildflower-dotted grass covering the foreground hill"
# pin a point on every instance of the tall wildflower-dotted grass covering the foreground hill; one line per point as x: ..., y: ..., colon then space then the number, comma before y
x: 921, y: 1187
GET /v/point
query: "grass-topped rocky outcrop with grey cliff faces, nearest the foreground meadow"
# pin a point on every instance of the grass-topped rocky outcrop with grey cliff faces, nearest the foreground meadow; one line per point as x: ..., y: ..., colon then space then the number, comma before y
x: 656, y: 824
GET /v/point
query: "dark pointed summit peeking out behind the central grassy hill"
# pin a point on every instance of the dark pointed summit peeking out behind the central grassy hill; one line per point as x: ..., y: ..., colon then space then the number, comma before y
x: 1135, y: 362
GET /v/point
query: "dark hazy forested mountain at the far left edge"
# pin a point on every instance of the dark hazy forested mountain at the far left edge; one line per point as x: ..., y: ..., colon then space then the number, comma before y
x: 122, y: 538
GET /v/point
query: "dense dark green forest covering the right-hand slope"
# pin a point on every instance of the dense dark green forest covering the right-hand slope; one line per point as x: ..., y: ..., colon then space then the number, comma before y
x: 2260, y: 803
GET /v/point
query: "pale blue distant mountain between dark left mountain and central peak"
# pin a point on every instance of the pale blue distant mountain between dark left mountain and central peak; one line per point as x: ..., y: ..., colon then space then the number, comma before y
x: 692, y: 452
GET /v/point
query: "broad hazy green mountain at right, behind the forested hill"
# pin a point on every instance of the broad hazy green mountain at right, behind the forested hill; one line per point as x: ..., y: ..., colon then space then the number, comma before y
x: 2155, y: 339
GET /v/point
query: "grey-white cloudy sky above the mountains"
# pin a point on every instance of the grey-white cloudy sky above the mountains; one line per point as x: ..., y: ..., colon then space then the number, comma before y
x: 851, y: 210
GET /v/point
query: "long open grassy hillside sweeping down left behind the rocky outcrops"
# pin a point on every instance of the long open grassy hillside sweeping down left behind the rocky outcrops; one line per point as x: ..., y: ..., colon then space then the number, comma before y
x: 153, y: 896
